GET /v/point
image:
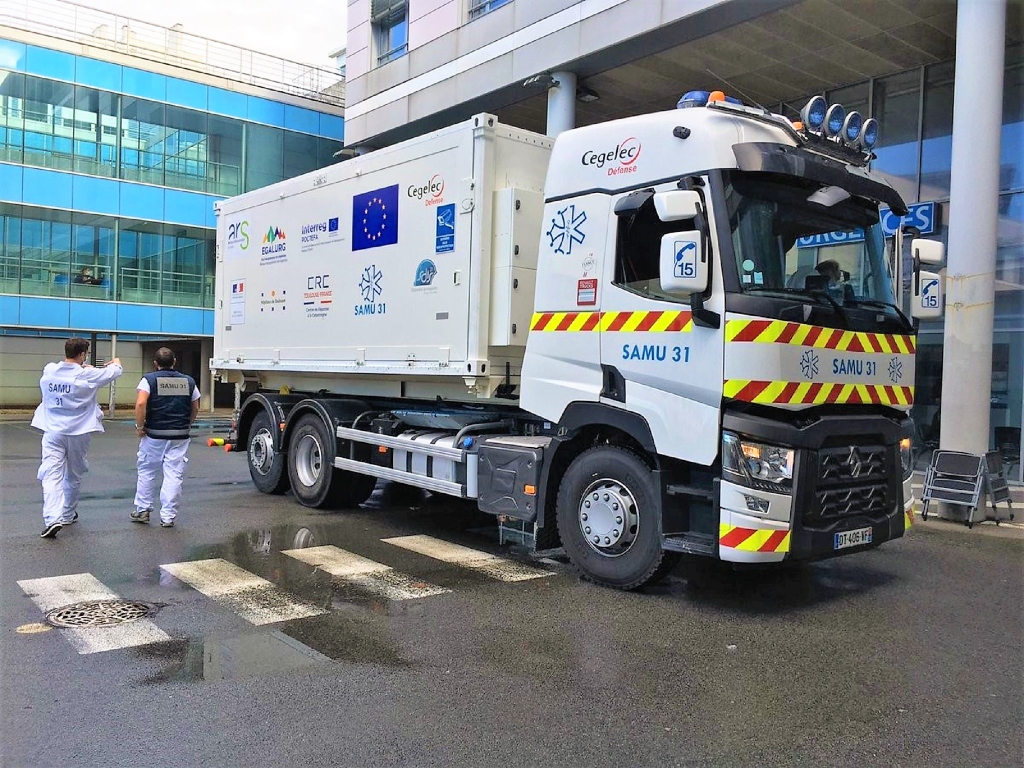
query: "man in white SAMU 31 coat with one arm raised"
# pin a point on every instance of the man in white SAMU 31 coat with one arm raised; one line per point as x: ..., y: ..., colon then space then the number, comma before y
x: 69, y: 415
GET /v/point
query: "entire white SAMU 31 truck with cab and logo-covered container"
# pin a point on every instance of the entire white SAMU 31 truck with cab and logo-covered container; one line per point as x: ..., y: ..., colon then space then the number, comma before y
x: 673, y: 333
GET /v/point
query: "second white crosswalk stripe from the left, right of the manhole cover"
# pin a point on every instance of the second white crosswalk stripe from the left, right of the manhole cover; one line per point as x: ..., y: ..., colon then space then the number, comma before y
x: 255, y: 600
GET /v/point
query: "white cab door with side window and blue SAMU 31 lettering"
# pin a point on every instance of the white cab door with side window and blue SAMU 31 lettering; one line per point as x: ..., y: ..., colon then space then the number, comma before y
x: 658, y: 362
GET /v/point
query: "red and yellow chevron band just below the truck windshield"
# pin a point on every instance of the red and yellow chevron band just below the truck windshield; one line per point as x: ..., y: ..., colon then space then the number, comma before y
x: 783, y: 332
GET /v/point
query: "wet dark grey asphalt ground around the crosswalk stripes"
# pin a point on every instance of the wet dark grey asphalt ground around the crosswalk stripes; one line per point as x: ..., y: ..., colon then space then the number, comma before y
x: 910, y: 655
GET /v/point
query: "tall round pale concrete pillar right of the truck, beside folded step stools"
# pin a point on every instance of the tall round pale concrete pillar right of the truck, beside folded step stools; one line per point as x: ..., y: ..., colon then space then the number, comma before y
x: 973, y: 203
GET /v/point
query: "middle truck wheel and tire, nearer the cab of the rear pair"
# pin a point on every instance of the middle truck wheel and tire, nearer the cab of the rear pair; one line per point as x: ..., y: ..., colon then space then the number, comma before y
x: 316, y: 482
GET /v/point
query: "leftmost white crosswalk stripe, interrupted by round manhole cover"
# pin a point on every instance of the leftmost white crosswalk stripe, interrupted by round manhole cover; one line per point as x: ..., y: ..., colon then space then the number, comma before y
x: 57, y: 592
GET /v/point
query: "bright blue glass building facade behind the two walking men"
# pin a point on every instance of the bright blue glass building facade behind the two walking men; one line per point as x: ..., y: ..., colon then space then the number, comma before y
x: 109, y: 175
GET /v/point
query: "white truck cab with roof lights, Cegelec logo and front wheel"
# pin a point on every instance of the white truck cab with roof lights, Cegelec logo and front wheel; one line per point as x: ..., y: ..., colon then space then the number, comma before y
x: 715, y: 308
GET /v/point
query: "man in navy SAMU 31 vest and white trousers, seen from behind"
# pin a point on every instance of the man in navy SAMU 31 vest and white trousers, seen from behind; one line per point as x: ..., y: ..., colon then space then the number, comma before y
x: 166, y: 407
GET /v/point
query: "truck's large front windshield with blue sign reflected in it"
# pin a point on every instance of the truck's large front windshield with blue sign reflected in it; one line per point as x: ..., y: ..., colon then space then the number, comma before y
x: 792, y: 236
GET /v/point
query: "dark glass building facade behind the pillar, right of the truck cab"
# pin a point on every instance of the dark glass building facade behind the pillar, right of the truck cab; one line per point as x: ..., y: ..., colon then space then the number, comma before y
x: 915, y: 151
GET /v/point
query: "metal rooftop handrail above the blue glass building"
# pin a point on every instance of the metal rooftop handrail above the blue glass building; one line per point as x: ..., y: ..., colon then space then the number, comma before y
x: 101, y: 29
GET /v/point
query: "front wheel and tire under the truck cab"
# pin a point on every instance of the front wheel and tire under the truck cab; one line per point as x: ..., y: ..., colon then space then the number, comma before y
x: 609, y: 522
